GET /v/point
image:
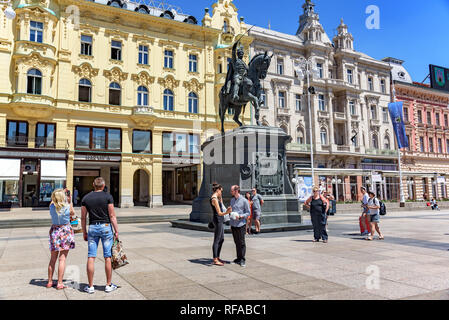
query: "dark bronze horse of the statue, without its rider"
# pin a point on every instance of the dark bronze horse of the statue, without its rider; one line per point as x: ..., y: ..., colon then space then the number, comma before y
x: 250, y: 90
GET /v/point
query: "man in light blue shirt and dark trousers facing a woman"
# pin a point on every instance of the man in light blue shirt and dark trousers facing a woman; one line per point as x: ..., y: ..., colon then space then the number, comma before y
x: 240, y: 206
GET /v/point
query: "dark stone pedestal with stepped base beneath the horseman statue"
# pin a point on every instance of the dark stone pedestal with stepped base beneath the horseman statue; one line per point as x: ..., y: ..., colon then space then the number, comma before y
x: 249, y: 156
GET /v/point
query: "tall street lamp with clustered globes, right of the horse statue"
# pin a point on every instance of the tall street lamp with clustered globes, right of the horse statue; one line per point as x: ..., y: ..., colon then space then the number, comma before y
x: 307, y: 68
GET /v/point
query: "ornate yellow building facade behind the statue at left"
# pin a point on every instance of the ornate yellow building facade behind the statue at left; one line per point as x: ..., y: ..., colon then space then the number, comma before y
x: 113, y: 89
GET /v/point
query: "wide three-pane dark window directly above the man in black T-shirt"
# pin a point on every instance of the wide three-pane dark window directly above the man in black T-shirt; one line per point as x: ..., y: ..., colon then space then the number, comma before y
x: 98, y: 138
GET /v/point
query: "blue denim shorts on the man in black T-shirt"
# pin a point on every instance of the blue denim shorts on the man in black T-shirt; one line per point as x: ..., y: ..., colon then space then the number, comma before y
x: 97, y: 232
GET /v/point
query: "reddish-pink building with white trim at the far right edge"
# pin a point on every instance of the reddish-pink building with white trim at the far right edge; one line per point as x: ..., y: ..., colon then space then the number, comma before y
x: 425, y: 164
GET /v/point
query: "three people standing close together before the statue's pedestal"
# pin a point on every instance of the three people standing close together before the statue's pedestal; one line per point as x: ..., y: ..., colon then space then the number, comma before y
x: 244, y: 210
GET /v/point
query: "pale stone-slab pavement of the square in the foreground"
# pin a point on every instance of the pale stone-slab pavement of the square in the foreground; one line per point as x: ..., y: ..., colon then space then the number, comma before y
x: 169, y: 263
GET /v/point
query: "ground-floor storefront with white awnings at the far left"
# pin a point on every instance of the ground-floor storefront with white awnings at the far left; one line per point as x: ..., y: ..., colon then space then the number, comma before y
x: 27, y: 179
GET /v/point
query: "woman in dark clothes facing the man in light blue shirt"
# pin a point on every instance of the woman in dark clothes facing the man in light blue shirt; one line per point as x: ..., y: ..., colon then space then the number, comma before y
x: 216, y: 202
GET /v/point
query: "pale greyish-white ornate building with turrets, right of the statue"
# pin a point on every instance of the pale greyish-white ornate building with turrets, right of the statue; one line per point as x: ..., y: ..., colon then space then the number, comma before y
x: 352, y: 133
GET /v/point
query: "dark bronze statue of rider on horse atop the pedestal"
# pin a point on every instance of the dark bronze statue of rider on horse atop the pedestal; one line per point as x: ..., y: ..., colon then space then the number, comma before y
x: 243, y: 84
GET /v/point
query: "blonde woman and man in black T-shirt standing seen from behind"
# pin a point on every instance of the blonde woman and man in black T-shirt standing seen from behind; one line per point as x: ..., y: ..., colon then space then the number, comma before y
x: 99, y: 205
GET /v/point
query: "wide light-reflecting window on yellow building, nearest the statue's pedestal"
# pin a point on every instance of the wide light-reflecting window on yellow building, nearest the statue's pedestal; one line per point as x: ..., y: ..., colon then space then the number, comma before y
x: 180, y: 142
